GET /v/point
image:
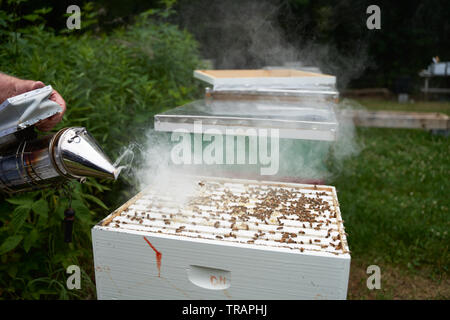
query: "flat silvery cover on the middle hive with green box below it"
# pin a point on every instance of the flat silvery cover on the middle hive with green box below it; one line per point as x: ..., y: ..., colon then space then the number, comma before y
x: 299, y: 120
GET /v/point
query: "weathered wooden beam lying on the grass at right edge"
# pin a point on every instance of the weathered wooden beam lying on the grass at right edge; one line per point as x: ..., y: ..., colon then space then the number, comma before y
x: 398, y: 119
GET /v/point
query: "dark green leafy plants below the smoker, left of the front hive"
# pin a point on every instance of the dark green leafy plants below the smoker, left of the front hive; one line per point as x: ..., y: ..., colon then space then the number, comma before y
x: 32, y: 246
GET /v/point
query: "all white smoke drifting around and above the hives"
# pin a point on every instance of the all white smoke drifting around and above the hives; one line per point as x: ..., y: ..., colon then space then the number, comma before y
x: 246, y: 34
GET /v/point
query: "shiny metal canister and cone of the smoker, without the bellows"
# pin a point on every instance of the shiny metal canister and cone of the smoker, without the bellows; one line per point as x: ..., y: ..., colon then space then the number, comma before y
x: 71, y: 153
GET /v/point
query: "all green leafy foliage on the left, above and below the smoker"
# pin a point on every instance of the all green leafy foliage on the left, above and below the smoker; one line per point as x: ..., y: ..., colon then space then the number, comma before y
x: 112, y: 84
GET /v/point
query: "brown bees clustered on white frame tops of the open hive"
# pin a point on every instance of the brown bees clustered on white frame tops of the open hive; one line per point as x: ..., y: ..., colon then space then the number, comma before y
x: 290, y: 204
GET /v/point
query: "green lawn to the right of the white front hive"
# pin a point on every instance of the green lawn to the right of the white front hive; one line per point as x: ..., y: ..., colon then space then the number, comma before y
x: 394, y: 198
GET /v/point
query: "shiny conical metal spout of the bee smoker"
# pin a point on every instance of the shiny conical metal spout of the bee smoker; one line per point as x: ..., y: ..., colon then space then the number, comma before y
x: 77, y: 154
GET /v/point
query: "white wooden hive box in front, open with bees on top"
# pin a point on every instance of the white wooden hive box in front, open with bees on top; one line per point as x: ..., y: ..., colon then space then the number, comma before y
x: 230, y: 239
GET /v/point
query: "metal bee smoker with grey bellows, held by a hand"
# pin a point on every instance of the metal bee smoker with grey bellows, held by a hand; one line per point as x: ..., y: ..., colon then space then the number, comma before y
x: 28, y: 162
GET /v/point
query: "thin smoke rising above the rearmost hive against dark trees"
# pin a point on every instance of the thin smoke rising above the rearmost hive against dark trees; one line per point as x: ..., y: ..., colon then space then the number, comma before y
x: 247, y: 34
